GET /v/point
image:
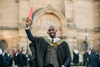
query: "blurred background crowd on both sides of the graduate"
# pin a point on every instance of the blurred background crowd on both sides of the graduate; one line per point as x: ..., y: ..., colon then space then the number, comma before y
x: 21, y: 58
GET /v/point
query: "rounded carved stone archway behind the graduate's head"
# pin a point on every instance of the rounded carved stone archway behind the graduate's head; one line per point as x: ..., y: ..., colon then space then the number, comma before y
x: 46, y: 17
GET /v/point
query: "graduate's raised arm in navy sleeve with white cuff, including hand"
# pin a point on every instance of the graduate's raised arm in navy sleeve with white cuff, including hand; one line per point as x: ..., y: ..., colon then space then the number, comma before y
x: 28, y: 32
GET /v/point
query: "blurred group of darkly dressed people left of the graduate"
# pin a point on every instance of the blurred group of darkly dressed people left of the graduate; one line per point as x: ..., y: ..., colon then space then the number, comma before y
x: 20, y: 58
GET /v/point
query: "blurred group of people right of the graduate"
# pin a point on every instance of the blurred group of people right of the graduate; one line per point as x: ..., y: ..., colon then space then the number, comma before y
x: 89, y: 58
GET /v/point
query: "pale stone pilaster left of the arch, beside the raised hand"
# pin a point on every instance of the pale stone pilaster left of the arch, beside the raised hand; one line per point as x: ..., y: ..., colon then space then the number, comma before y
x: 24, y: 6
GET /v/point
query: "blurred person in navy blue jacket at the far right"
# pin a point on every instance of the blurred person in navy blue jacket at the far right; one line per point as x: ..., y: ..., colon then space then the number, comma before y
x: 93, y: 59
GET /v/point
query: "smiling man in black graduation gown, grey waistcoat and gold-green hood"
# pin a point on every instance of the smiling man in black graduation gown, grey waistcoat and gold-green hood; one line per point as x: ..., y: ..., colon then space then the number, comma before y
x: 49, y: 51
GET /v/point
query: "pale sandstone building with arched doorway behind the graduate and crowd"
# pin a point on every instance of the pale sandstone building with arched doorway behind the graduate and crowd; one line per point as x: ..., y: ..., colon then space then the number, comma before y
x: 77, y: 21
